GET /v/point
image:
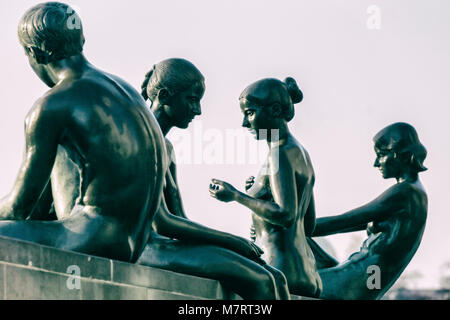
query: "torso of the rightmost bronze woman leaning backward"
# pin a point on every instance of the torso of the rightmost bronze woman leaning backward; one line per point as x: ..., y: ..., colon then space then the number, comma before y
x: 390, y: 246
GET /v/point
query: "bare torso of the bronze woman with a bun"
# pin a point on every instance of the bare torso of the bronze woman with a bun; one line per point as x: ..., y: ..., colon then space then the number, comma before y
x: 286, y: 248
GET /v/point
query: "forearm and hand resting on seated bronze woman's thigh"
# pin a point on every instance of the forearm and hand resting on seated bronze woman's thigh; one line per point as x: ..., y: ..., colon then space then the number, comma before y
x: 179, y: 228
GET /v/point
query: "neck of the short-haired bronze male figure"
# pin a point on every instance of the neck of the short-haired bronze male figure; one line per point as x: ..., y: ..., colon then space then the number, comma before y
x: 68, y: 68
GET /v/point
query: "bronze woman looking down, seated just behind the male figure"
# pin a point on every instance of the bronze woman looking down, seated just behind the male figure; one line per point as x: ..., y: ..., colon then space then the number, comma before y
x: 175, y: 88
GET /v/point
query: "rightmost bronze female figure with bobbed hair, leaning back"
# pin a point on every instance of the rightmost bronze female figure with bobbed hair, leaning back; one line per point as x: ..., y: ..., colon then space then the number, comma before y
x: 395, y: 220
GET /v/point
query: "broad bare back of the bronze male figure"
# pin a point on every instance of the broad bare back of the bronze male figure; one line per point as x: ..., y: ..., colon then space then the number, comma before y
x: 110, y: 157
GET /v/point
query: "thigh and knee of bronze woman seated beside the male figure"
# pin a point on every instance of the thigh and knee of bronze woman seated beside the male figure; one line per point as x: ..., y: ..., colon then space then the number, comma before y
x: 243, y: 276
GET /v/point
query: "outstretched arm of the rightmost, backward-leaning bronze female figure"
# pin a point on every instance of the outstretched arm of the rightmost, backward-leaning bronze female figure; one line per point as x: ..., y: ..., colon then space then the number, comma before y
x: 390, y: 202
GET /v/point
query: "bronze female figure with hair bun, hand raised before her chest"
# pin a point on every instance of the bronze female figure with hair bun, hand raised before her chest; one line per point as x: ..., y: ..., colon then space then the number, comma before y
x: 281, y: 198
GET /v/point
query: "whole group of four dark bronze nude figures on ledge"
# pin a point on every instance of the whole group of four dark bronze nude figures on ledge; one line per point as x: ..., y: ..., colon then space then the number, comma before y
x: 99, y: 177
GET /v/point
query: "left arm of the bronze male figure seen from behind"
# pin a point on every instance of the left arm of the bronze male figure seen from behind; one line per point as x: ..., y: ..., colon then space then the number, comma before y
x: 42, y: 132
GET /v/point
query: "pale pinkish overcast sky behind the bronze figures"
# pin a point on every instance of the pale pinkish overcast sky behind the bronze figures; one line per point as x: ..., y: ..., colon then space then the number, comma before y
x: 355, y: 81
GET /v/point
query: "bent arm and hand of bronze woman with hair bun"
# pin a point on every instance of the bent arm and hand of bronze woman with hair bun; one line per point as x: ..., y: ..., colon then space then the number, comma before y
x: 282, y: 211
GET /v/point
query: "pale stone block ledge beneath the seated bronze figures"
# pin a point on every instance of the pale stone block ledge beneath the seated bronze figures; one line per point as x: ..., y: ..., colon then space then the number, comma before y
x: 32, y: 271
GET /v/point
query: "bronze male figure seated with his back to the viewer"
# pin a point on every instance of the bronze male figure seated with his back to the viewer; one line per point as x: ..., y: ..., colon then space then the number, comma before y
x: 92, y: 148
